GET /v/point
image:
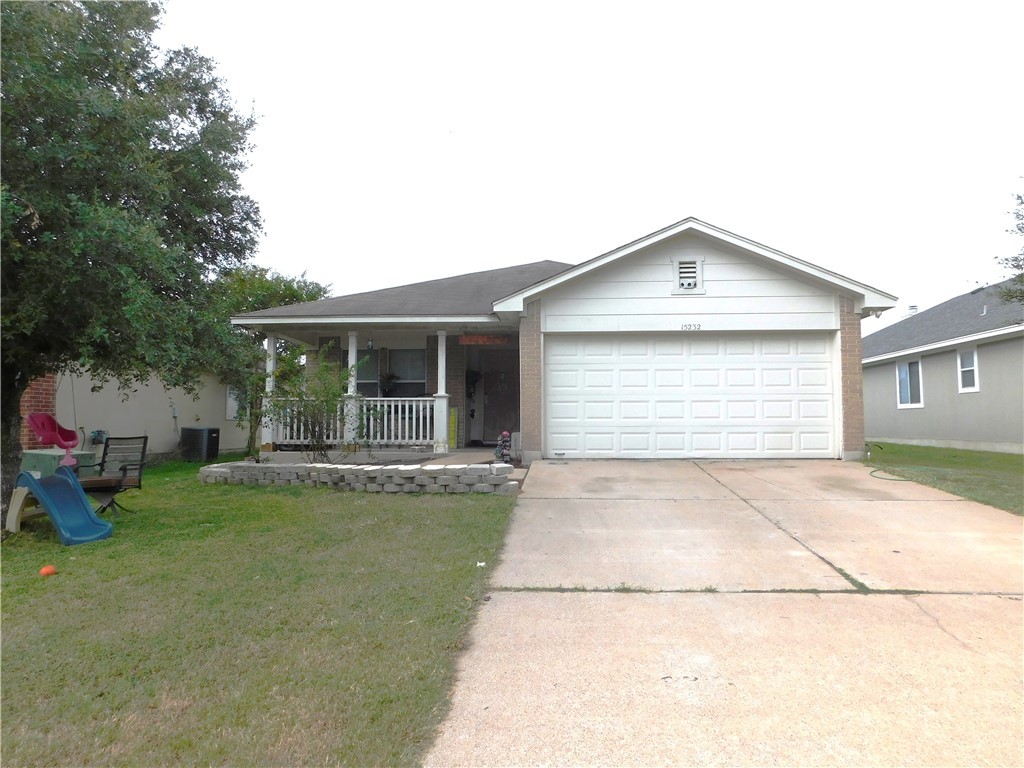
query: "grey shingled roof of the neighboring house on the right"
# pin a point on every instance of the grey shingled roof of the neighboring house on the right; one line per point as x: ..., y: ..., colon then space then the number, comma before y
x: 976, y: 315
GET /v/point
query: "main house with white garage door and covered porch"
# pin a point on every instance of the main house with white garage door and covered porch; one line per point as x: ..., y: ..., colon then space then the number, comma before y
x: 691, y: 343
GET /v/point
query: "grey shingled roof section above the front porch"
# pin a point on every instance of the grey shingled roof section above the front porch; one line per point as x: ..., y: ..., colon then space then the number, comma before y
x: 462, y: 296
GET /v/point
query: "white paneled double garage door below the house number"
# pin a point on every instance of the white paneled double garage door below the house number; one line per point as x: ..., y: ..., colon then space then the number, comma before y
x: 671, y: 396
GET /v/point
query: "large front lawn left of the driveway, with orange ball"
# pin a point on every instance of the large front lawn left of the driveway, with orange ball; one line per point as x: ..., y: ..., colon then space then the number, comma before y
x: 242, y: 626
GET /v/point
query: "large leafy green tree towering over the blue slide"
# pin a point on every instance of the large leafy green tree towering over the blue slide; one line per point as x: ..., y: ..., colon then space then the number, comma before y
x: 121, y: 201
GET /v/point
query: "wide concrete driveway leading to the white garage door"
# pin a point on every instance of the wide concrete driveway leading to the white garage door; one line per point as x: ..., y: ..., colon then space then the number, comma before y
x: 744, y: 614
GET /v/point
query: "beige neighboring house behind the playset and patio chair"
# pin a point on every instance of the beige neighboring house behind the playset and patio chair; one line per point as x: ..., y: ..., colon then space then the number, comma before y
x: 150, y: 410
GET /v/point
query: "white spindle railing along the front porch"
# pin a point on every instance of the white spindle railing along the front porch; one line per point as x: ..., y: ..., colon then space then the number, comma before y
x: 380, y: 421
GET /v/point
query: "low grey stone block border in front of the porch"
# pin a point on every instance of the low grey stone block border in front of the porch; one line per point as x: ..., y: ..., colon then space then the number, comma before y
x: 372, y: 479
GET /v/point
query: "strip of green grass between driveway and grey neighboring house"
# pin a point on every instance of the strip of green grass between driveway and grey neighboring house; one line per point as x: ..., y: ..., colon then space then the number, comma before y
x: 997, y: 480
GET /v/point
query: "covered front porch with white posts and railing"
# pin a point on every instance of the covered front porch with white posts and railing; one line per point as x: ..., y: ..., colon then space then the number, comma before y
x: 475, y: 379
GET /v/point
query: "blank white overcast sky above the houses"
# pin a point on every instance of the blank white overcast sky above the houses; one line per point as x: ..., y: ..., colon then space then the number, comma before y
x: 404, y: 142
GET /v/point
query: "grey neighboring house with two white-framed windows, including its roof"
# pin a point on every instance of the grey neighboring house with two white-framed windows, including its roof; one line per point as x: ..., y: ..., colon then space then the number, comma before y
x: 952, y: 376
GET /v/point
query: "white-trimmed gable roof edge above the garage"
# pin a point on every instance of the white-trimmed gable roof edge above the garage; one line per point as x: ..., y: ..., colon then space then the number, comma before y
x: 868, y: 300
